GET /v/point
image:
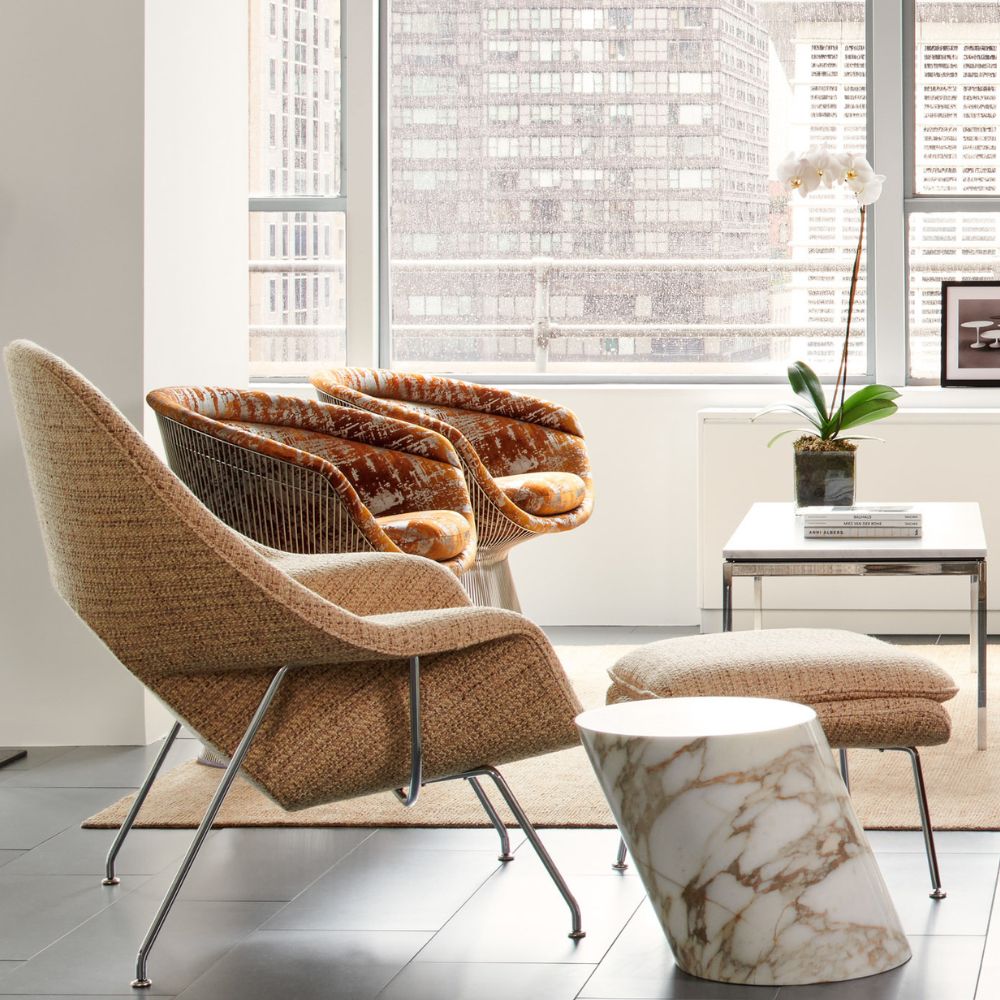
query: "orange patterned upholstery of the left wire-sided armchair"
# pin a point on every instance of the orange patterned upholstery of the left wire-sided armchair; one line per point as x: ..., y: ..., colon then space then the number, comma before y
x: 379, y: 467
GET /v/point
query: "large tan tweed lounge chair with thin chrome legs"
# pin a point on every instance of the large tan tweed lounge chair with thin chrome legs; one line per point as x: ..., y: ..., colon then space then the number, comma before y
x: 323, y: 677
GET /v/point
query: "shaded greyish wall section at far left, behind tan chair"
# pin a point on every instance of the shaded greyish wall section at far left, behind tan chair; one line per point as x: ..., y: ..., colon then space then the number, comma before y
x: 71, y: 279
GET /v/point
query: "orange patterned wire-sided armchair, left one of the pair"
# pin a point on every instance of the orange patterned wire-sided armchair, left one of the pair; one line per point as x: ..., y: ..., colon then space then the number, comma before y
x: 303, y: 476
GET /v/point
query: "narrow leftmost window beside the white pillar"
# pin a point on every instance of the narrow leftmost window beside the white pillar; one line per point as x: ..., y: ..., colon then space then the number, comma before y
x: 295, y: 183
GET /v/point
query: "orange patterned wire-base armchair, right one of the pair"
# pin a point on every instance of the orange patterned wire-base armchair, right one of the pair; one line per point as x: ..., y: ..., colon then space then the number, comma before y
x: 524, y: 459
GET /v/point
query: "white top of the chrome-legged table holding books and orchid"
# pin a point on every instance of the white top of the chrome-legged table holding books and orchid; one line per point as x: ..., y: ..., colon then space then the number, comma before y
x: 773, y: 531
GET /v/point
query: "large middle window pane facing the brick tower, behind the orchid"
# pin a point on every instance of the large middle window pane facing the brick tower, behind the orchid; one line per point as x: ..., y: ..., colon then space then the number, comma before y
x: 623, y: 221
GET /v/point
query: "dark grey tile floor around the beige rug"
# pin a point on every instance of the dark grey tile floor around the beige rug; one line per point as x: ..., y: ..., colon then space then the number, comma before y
x: 401, y: 914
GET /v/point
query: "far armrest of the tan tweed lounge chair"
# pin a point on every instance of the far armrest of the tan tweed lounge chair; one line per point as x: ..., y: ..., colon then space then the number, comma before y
x: 373, y: 583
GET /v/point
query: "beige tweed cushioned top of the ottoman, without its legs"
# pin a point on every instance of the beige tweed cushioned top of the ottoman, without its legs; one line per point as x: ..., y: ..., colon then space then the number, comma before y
x: 866, y: 693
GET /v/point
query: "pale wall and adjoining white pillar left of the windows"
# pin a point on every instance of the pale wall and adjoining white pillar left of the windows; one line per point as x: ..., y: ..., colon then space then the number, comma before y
x: 133, y: 116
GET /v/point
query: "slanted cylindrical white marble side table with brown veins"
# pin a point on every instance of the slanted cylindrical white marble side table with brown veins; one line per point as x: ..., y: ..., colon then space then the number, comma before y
x: 745, y: 839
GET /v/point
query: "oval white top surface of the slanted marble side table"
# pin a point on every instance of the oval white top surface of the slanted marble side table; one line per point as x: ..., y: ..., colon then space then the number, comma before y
x: 695, y: 718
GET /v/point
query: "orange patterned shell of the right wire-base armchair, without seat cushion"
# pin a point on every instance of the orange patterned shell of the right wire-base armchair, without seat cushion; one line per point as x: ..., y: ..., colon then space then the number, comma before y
x: 496, y: 433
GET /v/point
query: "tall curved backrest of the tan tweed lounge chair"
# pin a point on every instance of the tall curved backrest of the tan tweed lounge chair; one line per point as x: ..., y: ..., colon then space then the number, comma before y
x: 168, y: 587
